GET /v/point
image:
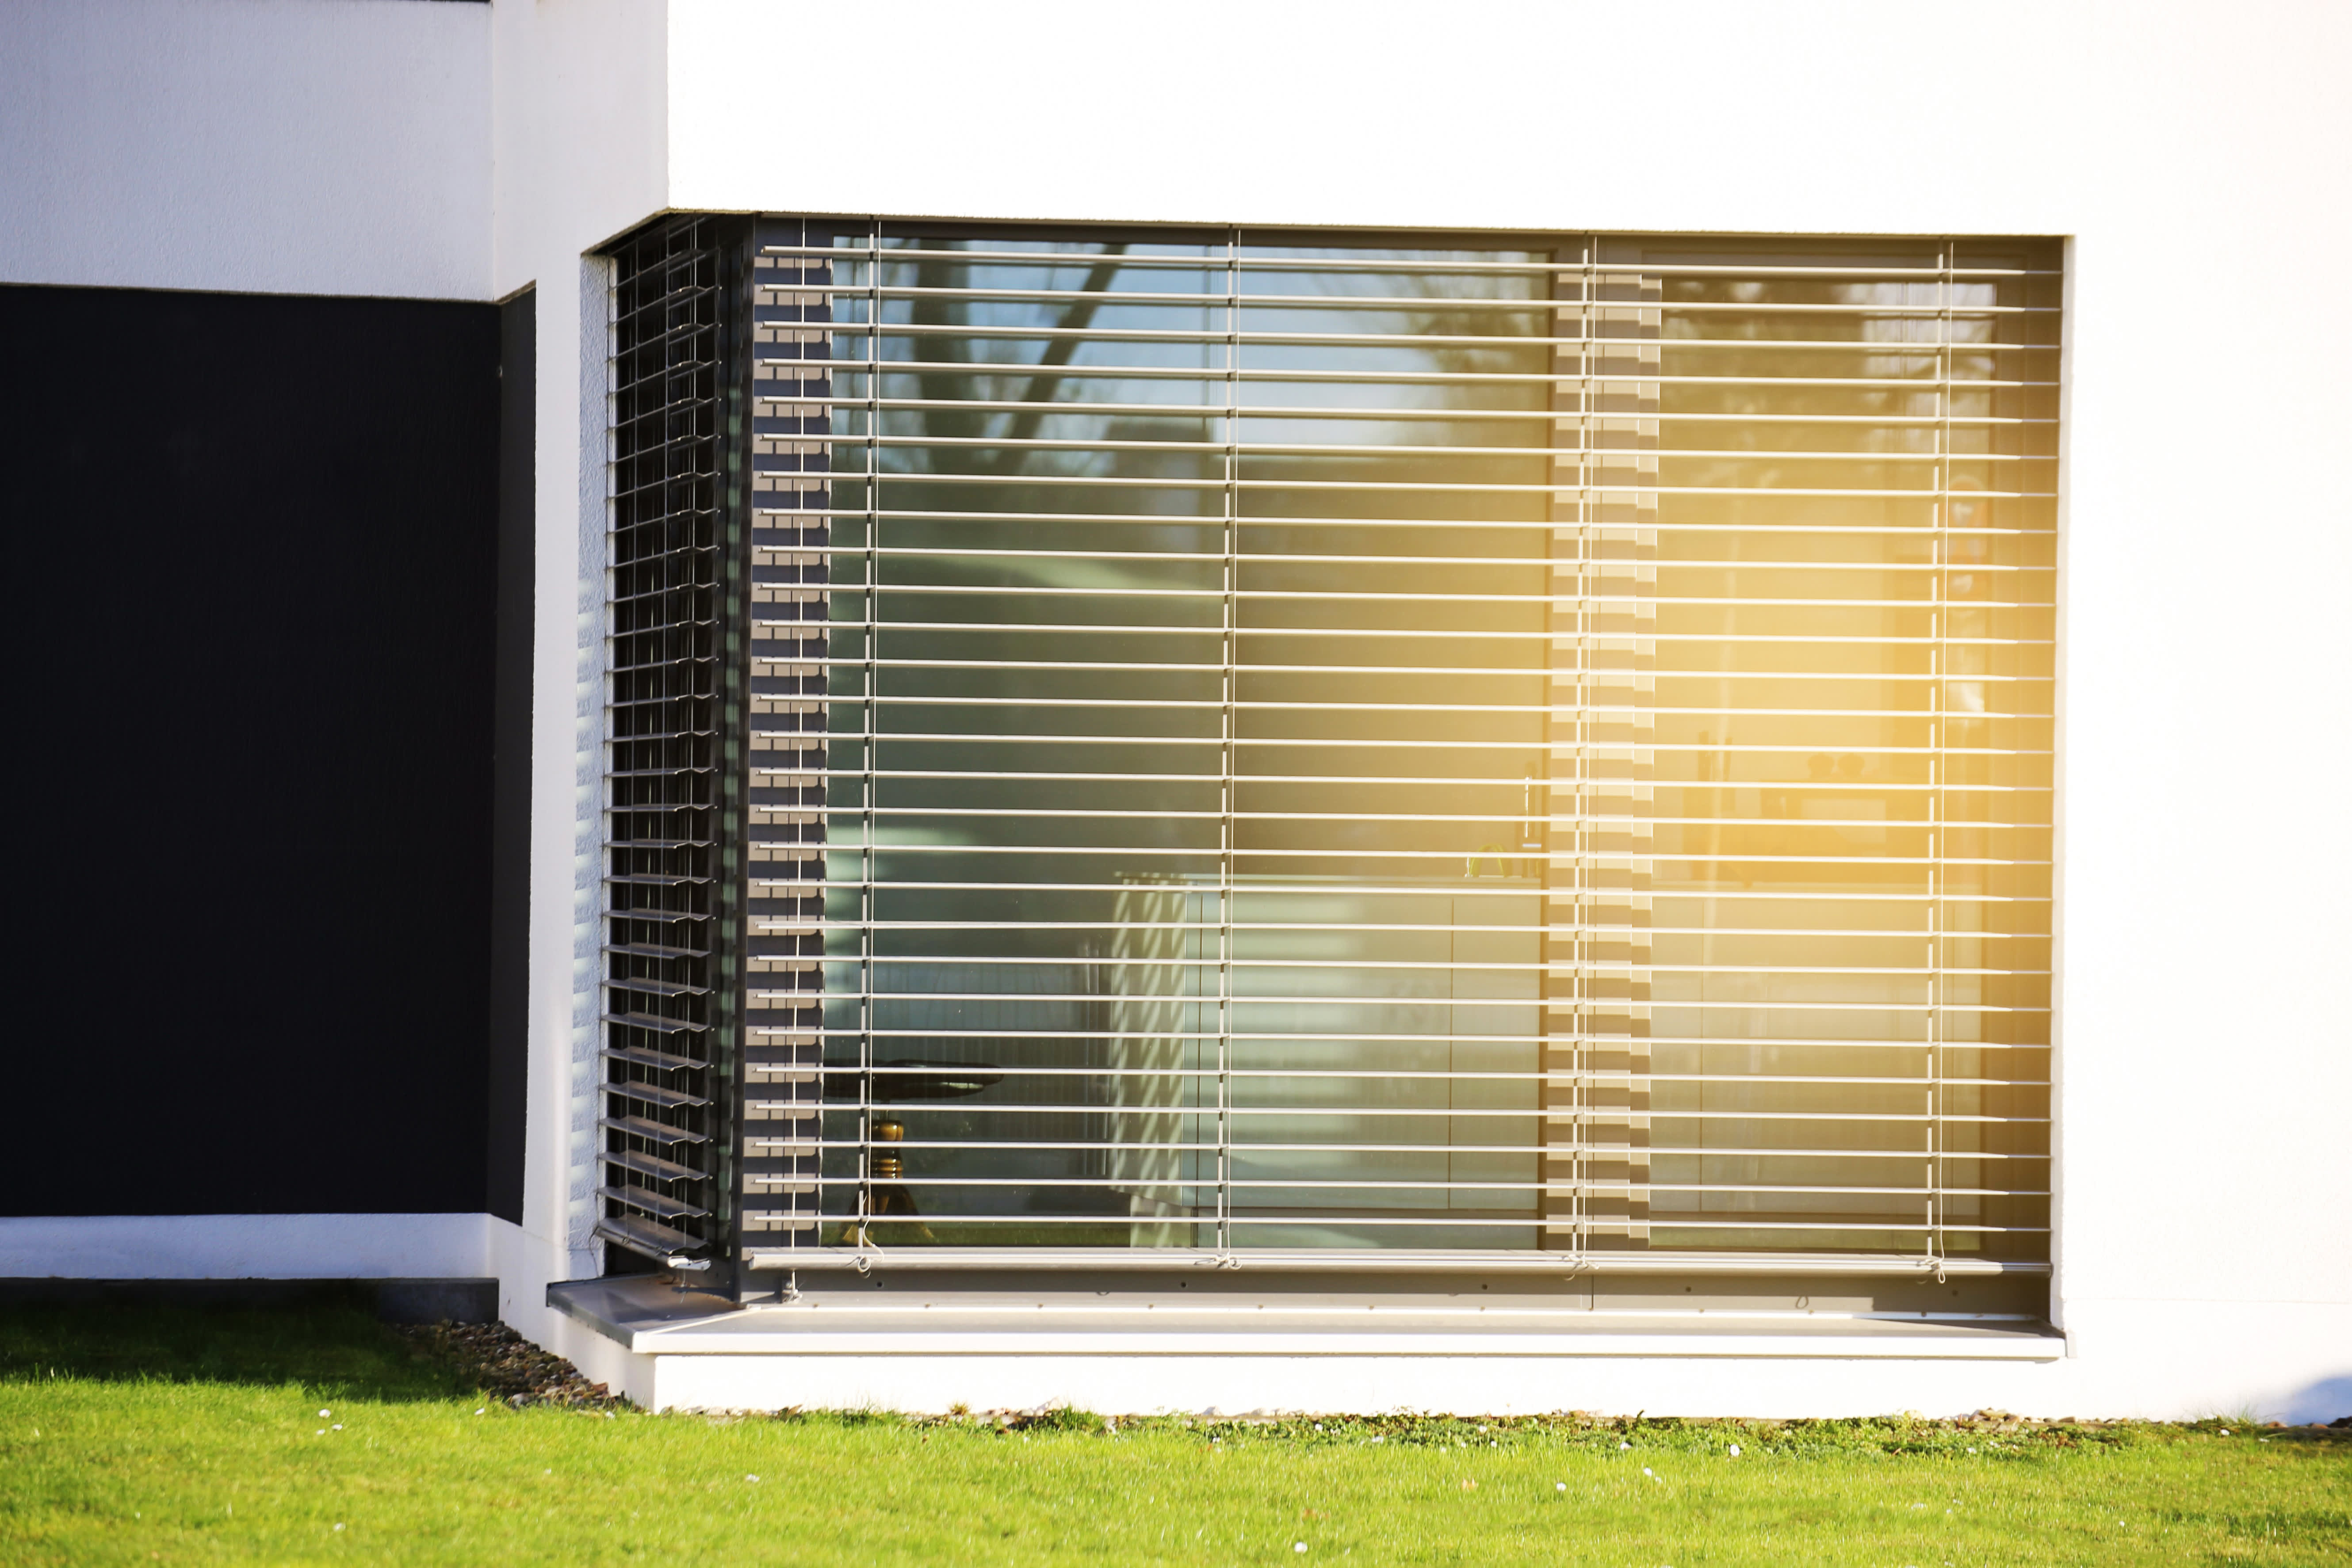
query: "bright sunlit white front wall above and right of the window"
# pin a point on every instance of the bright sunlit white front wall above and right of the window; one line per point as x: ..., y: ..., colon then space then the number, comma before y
x: 2196, y: 154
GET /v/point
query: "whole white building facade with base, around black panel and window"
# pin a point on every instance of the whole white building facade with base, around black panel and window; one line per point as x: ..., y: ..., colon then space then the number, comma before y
x: 2196, y: 1245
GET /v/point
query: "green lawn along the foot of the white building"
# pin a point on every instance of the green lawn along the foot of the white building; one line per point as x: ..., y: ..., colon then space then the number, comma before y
x: 199, y: 1438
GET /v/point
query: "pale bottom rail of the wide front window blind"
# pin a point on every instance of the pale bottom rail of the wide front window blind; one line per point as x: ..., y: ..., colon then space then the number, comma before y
x: 1356, y: 1261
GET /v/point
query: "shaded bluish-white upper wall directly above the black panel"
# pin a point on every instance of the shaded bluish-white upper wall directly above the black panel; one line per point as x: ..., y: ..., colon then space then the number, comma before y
x: 262, y: 147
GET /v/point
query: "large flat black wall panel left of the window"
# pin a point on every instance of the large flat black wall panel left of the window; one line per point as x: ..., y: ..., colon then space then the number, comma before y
x: 253, y: 554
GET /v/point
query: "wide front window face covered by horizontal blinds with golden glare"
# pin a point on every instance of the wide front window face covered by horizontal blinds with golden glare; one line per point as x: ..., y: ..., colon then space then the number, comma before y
x: 1330, y: 751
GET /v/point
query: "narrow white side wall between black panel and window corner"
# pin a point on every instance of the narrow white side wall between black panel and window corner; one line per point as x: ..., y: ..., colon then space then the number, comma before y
x: 580, y: 95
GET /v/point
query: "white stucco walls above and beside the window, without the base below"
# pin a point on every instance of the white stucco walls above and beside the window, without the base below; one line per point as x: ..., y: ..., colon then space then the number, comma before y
x: 2196, y: 154
